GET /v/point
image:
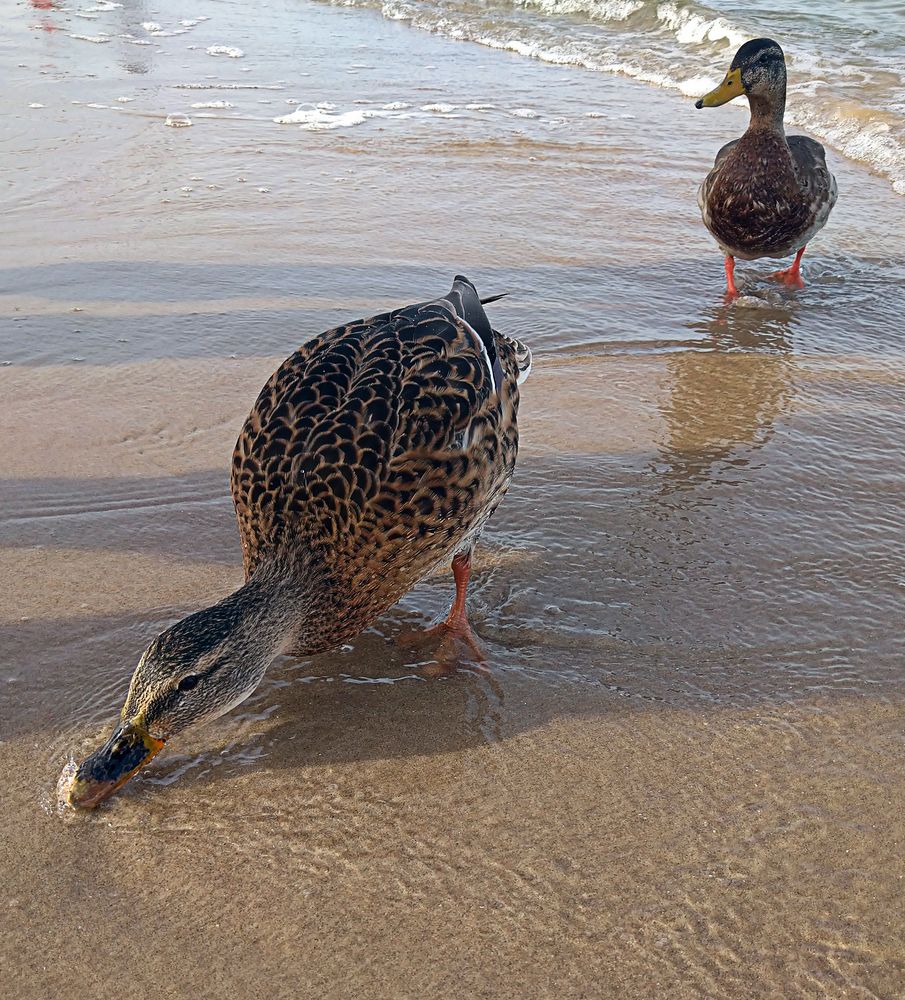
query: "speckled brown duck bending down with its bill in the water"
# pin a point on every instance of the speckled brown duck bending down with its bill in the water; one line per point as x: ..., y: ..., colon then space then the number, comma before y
x: 374, y: 453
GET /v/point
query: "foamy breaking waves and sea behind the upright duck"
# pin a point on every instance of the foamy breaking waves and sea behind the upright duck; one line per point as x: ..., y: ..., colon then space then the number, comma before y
x: 845, y: 57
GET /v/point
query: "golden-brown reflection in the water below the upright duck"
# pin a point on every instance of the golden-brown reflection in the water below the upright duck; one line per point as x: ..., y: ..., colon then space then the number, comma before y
x: 723, y: 402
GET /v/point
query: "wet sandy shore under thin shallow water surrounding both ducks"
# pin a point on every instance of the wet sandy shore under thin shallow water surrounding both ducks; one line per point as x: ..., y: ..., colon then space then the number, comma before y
x: 681, y: 774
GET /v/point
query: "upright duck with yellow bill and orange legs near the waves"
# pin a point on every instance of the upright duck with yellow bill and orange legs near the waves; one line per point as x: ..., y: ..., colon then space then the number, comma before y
x: 768, y: 194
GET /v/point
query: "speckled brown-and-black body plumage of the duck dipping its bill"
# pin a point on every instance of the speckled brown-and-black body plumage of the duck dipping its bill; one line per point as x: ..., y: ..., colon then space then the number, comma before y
x: 375, y: 451
